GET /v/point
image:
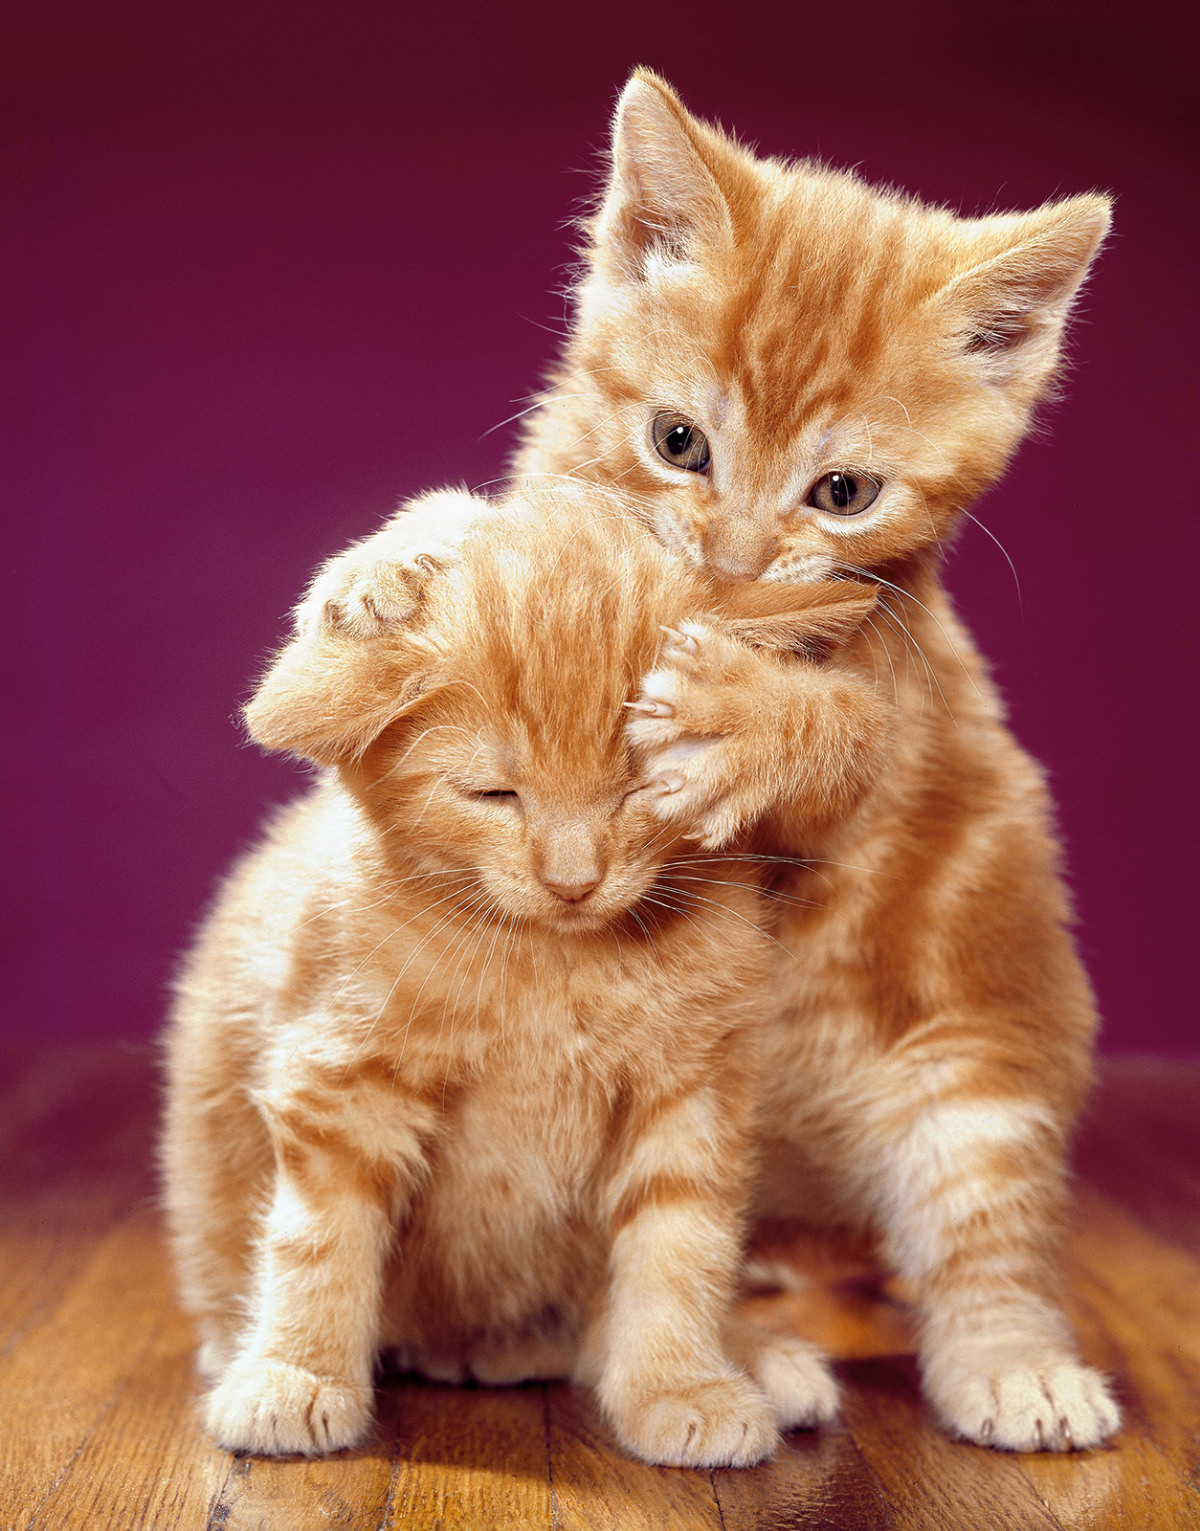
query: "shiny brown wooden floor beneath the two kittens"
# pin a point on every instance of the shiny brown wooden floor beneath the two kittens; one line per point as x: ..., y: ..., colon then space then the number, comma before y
x: 97, y: 1392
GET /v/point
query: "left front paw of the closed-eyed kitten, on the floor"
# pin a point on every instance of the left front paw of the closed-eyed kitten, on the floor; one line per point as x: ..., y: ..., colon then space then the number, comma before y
x: 276, y: 1409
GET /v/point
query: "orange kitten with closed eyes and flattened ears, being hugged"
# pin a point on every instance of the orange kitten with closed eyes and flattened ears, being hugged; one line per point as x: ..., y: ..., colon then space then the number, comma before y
x: 465, y: 1062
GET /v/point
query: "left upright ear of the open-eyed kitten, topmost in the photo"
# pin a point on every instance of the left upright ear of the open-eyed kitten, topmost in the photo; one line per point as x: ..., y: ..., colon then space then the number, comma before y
x: 662, y: 191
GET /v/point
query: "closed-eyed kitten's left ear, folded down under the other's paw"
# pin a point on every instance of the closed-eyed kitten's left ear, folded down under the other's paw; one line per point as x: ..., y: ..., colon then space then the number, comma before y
x: 328, y: 697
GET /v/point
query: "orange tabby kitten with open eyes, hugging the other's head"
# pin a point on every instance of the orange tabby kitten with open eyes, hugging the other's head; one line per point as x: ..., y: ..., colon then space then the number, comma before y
x: 800, y: 379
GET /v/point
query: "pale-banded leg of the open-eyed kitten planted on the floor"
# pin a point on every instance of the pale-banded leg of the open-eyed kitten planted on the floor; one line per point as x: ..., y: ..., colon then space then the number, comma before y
x: 971, y: 1196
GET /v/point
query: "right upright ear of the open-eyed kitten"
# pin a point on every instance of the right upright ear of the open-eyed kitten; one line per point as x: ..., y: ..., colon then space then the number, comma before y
x: 1009, y: 308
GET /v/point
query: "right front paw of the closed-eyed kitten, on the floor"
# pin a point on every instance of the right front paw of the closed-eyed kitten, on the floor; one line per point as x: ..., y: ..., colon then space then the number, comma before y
x: 719, y: 1423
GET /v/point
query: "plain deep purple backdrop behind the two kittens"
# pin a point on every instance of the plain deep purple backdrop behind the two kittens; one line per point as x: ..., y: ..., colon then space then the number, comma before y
x: 267, y: 272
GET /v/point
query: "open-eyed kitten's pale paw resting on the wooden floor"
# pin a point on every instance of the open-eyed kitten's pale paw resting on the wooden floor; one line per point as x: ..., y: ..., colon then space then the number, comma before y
x: 1051, y: 1405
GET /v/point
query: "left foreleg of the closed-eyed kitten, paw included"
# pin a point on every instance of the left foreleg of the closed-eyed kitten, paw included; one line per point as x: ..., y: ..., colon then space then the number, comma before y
x: 301, y: 1380
